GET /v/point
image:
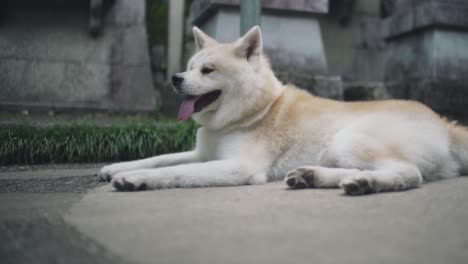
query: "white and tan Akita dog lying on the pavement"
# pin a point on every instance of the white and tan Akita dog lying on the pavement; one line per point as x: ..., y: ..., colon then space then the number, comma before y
x: 255, y: 129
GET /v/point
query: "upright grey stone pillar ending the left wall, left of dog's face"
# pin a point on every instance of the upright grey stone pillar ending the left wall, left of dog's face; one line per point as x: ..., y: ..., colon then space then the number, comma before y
x: 131, y: 84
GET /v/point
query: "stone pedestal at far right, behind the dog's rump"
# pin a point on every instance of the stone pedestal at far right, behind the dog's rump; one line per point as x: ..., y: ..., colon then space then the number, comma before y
x: 427, y: 58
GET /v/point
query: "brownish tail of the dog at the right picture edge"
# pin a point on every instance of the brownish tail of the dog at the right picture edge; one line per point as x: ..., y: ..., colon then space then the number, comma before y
x: 459, y: 145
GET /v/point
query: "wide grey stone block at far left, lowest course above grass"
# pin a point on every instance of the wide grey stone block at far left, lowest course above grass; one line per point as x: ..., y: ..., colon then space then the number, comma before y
x: 55, y: 84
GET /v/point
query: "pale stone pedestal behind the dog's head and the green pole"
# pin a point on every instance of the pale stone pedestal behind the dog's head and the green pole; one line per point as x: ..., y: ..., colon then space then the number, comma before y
x: 291, y: 36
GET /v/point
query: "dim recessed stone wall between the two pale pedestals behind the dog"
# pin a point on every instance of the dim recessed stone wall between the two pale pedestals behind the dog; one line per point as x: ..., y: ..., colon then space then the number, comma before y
x: 352, y: 41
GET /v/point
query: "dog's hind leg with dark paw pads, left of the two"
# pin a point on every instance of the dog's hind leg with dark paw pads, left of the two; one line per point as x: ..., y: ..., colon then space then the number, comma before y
x: 318, y: 177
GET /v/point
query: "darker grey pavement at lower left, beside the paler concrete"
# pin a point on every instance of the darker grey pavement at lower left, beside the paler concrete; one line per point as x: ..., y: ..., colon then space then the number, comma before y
x: 33, y: 202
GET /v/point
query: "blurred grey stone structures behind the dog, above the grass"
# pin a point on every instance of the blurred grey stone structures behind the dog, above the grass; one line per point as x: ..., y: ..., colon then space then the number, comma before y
x: 116, y: 55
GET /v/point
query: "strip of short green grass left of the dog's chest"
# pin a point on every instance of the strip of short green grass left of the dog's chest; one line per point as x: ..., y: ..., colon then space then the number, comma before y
x: 80, y: 143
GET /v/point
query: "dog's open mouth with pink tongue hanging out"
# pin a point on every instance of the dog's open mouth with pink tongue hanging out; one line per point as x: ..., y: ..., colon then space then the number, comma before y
x: 193, y: 104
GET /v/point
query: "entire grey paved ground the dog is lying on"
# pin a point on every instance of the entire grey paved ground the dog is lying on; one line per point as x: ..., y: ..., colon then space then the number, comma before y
x: 48, y: 216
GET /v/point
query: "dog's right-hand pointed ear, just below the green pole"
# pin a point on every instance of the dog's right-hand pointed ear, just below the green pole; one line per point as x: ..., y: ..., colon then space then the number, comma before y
x: 250, y: 45
